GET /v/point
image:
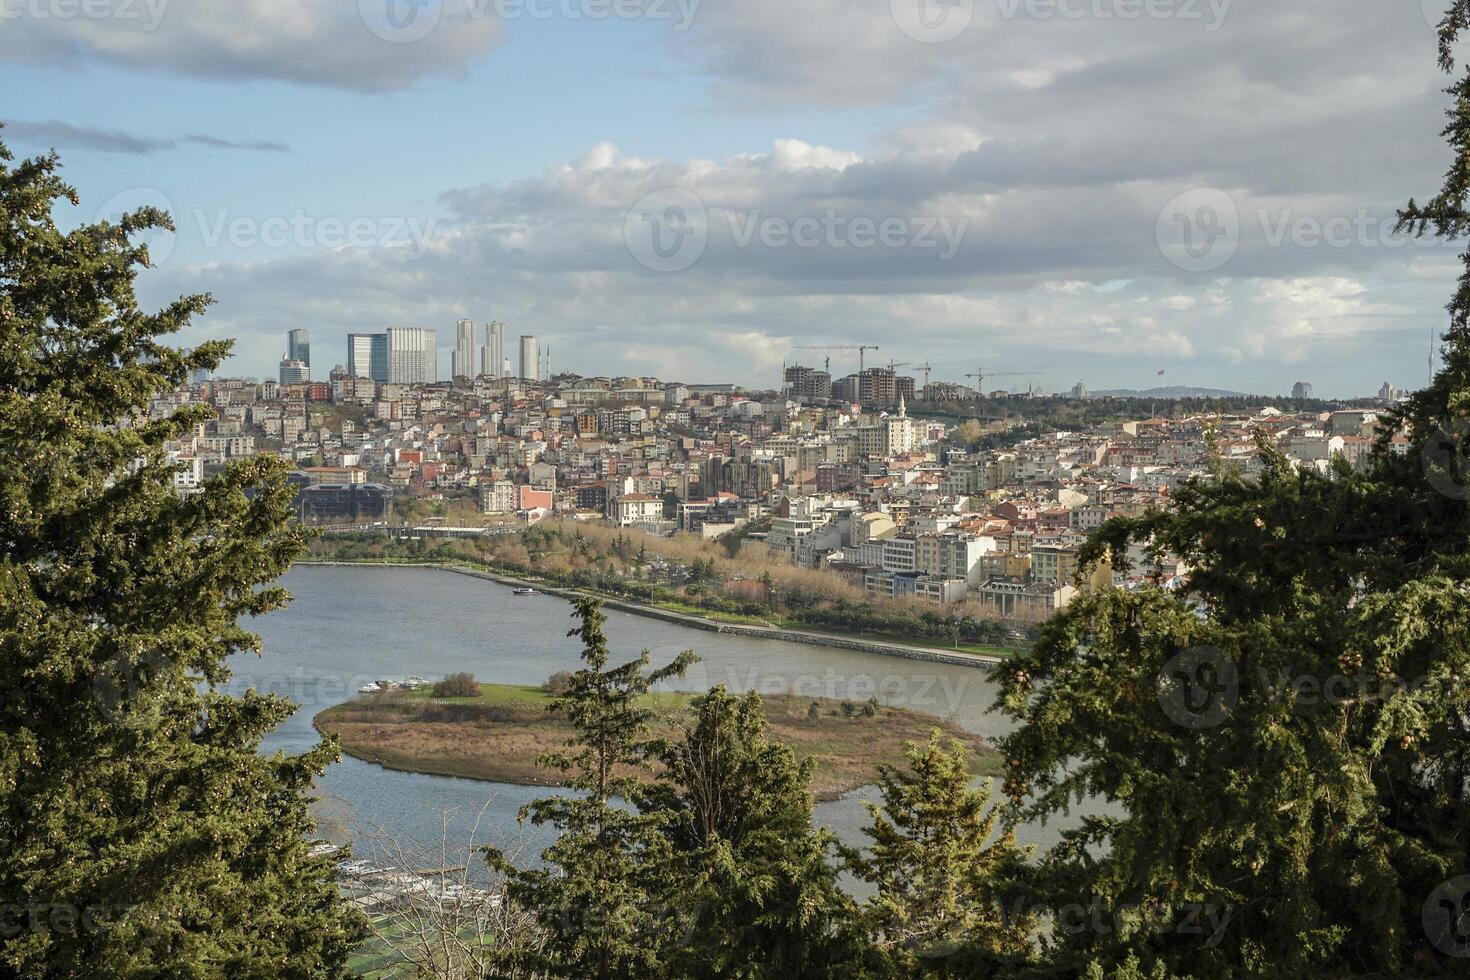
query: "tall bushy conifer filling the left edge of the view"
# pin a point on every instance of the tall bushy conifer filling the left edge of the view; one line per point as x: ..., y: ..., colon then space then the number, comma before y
x: 140, y: 831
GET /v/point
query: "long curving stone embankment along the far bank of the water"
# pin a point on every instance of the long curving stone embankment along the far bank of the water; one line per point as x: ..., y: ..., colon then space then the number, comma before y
x: 812, y: 638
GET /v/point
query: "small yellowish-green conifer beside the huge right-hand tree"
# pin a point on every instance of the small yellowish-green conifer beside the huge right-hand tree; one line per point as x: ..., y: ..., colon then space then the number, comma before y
x: 939, y: 865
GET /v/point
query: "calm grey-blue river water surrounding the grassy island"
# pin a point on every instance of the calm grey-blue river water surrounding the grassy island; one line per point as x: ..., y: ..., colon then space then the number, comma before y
x: 349, y: 627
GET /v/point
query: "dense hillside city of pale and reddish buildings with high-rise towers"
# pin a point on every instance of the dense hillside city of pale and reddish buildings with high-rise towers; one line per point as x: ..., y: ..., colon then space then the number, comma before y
x: 831, y: 475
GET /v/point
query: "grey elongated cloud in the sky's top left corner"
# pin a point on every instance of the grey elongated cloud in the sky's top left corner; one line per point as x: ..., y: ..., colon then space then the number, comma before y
x: 355, y: 45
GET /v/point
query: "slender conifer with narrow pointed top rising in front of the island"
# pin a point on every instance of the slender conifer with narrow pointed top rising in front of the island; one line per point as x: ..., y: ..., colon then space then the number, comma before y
x: 599, y: 898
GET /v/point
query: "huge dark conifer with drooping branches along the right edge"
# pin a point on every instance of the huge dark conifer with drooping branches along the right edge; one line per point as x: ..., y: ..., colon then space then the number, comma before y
x: 1293, y: 768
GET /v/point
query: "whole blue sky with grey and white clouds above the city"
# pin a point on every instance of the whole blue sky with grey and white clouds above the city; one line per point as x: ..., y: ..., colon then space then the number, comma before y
x: 1069, y: 190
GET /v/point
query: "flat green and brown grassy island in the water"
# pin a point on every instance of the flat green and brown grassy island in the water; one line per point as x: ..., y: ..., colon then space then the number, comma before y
x: 501, y: 734
